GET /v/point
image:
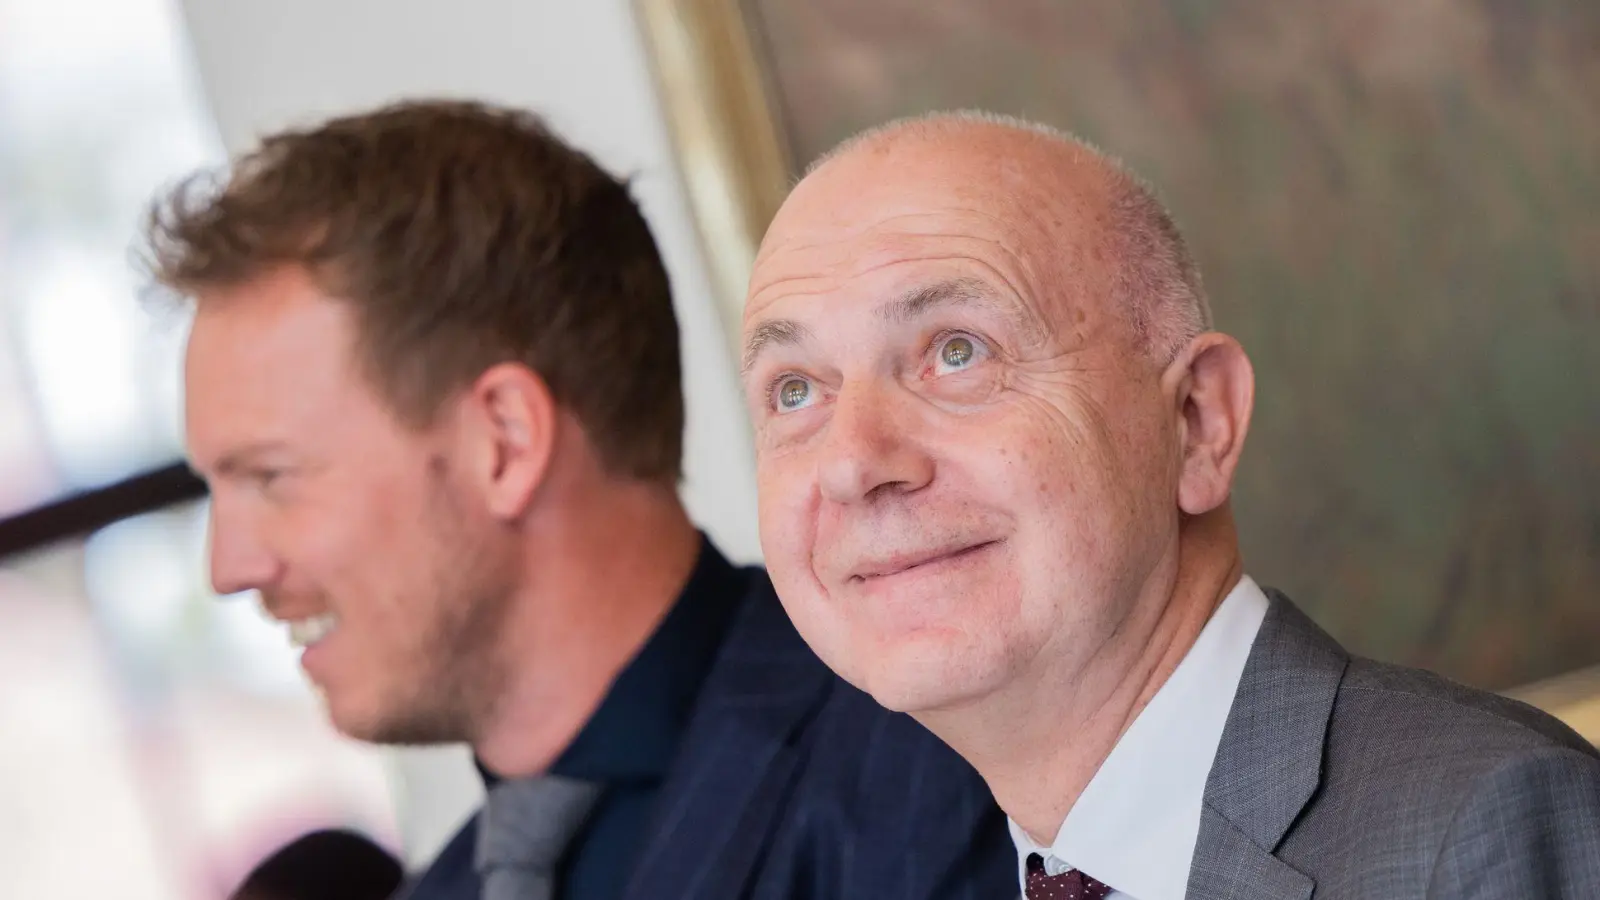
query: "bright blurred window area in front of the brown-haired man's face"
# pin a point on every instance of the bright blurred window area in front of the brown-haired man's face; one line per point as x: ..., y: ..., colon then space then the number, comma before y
x: 156, y: 742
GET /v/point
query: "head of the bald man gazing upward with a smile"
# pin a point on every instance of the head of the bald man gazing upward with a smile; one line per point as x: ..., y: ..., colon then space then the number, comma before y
x: 986, y: 408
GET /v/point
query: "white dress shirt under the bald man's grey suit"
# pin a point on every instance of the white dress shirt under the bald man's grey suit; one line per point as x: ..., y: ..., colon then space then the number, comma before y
x: 1137, y: 822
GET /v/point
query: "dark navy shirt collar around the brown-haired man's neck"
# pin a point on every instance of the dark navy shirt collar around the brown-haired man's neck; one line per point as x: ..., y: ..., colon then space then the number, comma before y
x: 634, y: 733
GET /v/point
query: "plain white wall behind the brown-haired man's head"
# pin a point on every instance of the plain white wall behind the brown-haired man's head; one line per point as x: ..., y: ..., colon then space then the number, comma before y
x: 583, y: 65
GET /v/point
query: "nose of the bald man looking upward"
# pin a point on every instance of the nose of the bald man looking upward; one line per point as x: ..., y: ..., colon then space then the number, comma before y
x: 870, y: 448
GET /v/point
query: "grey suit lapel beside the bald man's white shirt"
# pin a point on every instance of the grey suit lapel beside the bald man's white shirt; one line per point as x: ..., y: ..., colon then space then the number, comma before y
x: 1270, y: 761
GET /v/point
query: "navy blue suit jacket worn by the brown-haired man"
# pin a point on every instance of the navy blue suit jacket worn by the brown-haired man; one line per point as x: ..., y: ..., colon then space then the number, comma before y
x: 794, y: 785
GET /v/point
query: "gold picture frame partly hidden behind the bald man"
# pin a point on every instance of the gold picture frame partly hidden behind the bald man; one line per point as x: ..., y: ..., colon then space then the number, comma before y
x: 735, y: 161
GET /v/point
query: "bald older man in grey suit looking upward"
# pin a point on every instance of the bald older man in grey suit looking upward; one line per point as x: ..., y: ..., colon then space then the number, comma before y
x: 996, y: 441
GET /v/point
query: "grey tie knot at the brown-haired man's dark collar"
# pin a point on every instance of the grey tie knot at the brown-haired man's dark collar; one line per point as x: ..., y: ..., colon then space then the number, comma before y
x: 529, y: 824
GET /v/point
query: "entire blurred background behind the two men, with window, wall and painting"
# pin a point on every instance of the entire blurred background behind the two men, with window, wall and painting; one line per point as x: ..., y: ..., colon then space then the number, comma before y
x: 1398, y: 207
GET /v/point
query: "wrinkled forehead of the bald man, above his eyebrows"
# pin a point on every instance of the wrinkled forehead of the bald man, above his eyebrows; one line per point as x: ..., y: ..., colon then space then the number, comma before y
x: 1018, y: 215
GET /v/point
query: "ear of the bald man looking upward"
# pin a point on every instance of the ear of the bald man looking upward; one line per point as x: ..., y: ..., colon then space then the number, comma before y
x: 1214, y: 388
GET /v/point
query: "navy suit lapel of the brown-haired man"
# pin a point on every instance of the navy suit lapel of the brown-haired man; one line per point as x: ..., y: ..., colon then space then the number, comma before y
x: 737, y: 765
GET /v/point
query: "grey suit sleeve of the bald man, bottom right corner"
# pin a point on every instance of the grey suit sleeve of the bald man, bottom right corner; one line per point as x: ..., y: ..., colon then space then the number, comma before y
x: 1530, y: 829
